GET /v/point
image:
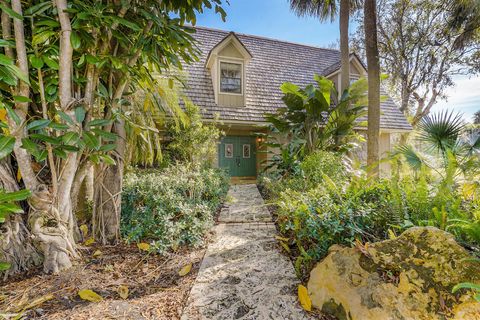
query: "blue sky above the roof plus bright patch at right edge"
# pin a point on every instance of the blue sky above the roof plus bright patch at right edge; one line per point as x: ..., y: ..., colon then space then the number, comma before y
x: 273, y: 19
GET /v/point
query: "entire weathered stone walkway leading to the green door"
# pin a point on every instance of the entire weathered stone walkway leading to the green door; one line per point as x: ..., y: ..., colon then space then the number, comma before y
x: 243, y: 274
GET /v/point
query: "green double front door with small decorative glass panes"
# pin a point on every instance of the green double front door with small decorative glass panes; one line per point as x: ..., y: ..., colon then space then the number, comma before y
x: 238, y: 156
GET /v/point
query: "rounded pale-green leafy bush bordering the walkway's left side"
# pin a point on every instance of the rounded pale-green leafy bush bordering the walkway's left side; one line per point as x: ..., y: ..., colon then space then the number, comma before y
x: 172, y: 207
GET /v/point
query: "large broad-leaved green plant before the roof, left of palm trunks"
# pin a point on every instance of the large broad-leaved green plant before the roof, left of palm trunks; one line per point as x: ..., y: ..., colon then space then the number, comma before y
x: 310, y: 119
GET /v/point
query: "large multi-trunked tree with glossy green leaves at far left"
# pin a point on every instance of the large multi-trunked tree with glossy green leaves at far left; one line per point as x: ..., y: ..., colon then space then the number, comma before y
x: 65, y: 103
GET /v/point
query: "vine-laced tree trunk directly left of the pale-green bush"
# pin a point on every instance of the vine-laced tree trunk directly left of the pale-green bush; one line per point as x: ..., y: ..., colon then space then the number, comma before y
x: 108, y: 189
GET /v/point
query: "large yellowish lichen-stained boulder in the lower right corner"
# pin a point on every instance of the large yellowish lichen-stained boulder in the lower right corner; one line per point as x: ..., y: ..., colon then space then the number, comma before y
x: 409, y: 277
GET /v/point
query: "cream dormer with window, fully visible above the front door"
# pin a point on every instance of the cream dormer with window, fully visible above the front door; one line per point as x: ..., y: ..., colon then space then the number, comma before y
x: 227, y: 64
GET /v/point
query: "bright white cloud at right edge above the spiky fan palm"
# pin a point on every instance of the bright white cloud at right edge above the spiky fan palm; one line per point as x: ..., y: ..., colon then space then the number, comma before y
x: 464, y: 97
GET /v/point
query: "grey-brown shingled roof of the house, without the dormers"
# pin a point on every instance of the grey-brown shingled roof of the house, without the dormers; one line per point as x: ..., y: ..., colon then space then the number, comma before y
x: 273, y: 63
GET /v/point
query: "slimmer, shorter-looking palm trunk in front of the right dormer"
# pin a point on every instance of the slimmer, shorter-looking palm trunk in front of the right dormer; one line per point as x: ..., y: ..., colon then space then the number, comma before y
x: 344, y: 46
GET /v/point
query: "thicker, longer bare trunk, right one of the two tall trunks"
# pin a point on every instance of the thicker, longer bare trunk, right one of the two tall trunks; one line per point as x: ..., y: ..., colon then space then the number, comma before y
x: 371, y: 48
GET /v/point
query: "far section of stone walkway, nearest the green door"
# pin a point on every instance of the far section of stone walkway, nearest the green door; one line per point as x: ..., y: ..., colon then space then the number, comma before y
x: 245, y: 204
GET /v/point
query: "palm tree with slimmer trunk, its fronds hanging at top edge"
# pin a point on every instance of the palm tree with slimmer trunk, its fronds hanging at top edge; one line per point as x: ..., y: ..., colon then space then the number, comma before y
x: 327, y: 9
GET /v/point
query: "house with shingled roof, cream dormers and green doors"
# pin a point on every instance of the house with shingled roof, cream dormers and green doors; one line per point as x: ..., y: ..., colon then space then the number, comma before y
x: 238, y: 78
